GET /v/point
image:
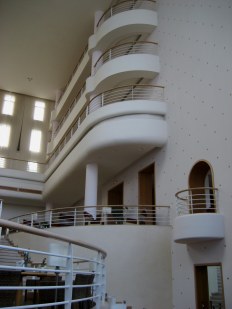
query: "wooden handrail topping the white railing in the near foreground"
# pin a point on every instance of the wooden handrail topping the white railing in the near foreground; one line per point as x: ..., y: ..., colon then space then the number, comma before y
x: 44, y: 233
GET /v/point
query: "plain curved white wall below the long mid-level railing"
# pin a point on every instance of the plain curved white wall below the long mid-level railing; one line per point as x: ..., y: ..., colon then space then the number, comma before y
x: 138, y: 261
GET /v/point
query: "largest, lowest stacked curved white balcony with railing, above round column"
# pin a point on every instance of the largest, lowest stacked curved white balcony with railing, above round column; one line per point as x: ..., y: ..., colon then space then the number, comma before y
x: 122, y: 124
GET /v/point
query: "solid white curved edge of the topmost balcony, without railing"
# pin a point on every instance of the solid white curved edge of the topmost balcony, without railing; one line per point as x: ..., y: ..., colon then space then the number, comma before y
x: 121, y: 25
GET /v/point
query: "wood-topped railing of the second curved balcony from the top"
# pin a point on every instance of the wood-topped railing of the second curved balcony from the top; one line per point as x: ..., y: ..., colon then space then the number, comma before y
x: 128, y: 48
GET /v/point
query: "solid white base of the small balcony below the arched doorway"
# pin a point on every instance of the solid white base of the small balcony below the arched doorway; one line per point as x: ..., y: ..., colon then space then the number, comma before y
x: 198, y: 228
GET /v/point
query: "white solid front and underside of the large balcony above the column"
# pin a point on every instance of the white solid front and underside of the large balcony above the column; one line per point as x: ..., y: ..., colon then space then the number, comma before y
x: 113, y: 143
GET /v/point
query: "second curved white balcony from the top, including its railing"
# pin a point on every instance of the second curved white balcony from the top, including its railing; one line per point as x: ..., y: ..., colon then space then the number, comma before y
x: 123, y: 62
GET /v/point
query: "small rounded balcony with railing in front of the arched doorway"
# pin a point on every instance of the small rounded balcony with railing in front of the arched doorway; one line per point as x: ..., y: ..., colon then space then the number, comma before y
x: 197, y: 218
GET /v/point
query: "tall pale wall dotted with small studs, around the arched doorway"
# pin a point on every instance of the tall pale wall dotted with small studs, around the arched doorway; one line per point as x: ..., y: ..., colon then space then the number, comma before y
x: 195, y: 49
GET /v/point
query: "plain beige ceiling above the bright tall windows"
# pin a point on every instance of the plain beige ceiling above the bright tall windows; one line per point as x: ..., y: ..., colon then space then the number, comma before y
x: 41, y: 42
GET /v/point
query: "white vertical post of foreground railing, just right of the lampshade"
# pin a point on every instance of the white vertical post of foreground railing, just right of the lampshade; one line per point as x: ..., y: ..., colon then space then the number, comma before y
x: 69, y: 277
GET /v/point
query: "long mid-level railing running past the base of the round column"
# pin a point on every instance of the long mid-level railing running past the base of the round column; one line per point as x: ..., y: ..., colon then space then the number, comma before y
x: 105, y: 215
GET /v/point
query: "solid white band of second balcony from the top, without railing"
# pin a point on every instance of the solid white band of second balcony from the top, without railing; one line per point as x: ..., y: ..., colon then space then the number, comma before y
x: 123, y: 68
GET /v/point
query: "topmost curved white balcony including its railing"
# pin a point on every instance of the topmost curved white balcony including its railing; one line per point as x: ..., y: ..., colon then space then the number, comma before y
x: 122, y: 20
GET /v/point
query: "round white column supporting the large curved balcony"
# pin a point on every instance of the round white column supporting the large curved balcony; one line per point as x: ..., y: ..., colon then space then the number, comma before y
x: 91, y: 186
